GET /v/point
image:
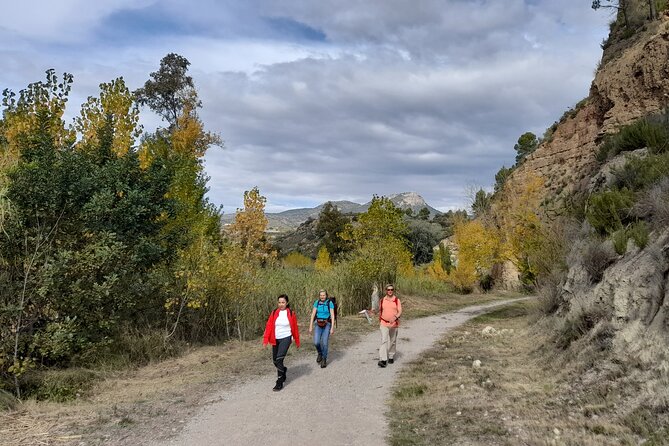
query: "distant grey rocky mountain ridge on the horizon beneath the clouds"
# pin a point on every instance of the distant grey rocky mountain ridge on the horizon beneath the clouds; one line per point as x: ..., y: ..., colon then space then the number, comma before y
x: 292, y: 218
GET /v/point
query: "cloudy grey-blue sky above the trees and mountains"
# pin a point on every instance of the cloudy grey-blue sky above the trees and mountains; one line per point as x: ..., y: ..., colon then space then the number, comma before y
x: 331, y: 100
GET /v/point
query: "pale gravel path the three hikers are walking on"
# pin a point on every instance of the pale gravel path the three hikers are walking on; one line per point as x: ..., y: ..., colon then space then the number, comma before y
x: 343, y: 404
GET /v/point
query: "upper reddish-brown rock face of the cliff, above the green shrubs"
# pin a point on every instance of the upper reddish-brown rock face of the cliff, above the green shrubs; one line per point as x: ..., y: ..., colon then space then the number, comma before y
x: 629, y: 84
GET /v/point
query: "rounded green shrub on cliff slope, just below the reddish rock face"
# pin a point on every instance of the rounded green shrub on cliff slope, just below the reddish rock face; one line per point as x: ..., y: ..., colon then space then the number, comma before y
x: 609, y: 210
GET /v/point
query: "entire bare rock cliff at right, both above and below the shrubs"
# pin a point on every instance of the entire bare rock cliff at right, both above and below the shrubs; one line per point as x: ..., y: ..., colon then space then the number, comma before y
x: 612, y: 307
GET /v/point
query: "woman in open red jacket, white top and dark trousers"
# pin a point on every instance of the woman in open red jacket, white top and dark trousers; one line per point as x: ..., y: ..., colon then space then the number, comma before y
x: 280, y: 329
